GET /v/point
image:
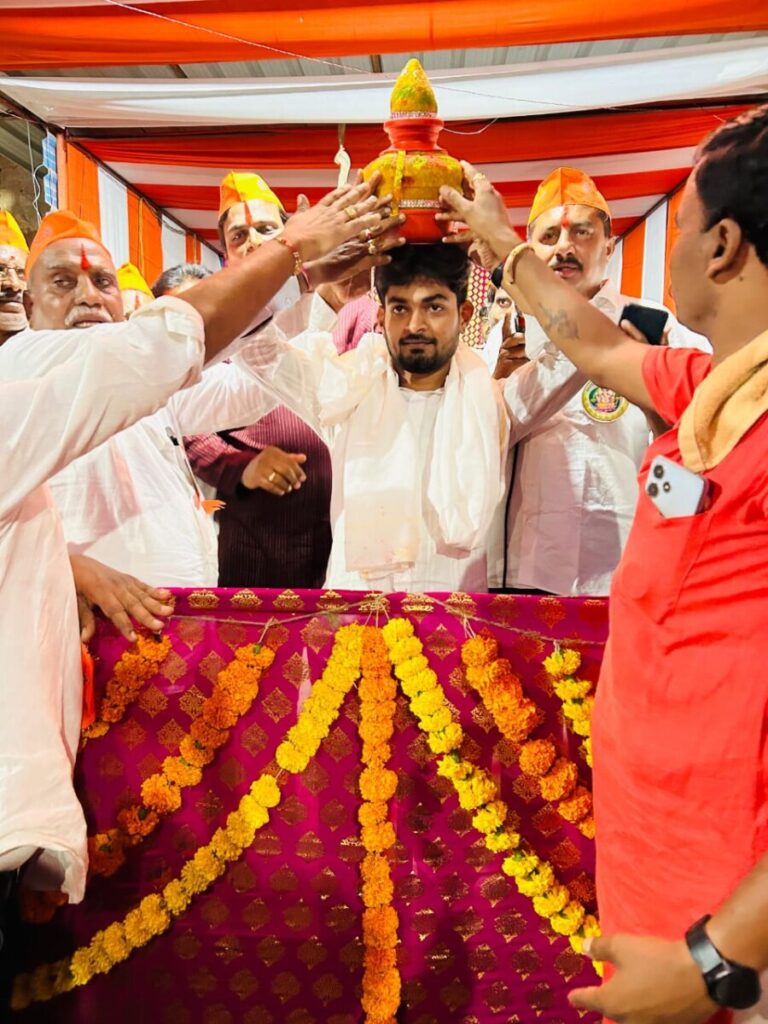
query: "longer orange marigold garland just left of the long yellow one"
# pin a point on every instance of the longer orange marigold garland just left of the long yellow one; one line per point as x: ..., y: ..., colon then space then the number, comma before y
x: 236, y: 689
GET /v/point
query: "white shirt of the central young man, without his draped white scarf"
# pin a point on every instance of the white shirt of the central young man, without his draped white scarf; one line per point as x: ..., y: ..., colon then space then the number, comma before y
x: 301, y: 378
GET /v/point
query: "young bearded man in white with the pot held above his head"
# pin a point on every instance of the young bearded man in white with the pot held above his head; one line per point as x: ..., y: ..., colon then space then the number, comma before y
x: 416, y: 426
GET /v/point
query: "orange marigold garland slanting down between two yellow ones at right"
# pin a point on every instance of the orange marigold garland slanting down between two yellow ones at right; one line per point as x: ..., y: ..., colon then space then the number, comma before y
x: 517, y: 717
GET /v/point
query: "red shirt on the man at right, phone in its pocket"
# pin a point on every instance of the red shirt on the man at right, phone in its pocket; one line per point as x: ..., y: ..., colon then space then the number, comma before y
x: 680, y: 729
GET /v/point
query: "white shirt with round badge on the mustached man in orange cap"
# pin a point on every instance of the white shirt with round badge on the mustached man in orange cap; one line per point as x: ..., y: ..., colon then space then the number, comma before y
x: 575, y: 487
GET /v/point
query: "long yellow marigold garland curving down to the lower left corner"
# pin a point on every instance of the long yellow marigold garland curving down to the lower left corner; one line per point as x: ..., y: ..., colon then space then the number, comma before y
x: 156, y: 913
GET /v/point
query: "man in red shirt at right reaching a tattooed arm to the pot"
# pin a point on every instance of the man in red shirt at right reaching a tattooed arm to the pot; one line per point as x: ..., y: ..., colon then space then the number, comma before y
x: 680, y: 719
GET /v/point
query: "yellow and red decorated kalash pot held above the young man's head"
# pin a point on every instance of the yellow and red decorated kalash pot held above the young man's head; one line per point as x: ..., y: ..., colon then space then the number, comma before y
x: 414, y: 167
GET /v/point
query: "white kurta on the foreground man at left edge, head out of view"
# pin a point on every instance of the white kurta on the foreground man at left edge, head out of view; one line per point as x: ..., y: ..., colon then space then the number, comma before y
x: 80, y: 397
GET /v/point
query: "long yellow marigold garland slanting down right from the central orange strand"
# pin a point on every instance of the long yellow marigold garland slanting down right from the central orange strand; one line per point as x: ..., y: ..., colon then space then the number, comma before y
x: 478, y: 791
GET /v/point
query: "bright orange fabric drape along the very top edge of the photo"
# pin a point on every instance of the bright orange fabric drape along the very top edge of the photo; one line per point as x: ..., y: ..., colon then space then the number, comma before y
x: 98, y: 36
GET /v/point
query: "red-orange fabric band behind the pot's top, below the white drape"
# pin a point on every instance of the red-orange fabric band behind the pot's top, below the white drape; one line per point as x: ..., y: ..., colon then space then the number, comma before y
x: 533, y: 139
